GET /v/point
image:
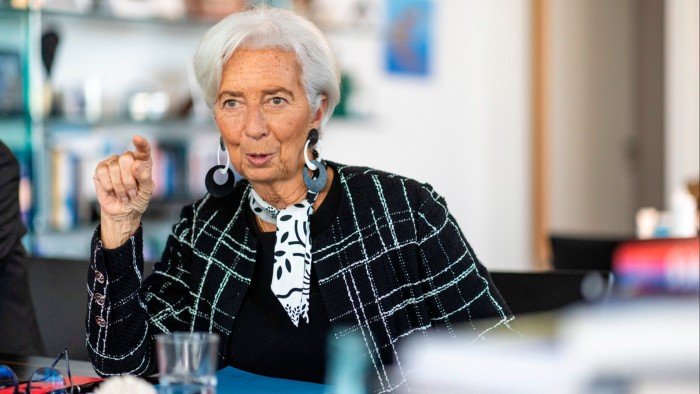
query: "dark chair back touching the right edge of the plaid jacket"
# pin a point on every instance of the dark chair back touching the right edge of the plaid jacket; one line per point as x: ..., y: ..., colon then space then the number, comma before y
x: 531, y: 292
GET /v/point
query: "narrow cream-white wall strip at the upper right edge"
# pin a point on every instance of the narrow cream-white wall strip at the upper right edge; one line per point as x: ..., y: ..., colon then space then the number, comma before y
x: 682, y: 96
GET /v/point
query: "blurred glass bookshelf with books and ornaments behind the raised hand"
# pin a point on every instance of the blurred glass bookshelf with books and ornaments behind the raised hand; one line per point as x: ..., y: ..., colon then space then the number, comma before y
x: 58, y: 141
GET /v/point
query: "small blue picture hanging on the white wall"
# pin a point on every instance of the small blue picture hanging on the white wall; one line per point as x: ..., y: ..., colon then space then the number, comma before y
x: 408, y: 37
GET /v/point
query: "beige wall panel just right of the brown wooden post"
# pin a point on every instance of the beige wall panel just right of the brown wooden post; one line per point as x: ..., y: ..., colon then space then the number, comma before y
x: 592, y: 109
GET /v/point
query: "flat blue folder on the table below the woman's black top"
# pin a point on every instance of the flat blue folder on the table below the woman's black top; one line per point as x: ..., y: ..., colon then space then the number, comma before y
x: 232, y: 380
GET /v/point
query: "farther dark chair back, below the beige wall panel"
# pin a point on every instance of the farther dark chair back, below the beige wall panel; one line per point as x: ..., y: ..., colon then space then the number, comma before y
x: 583, y: 253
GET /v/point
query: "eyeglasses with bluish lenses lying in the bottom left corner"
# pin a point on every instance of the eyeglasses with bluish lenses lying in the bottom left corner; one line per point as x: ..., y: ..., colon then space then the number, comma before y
x: 45, y: 379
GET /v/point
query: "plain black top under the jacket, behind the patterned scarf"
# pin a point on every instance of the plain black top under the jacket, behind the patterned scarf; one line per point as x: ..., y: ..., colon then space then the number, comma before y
x: 263, y: 339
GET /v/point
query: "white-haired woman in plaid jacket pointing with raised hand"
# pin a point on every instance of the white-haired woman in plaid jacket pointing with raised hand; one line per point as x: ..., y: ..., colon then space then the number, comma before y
x: 300, y: 246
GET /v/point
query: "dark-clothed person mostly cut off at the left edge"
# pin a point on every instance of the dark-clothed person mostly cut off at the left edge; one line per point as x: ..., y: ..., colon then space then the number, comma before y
x: 19, y: 333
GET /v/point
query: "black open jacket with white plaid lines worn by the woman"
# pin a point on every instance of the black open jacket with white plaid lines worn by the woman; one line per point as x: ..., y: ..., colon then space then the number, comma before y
x: 393, y: 264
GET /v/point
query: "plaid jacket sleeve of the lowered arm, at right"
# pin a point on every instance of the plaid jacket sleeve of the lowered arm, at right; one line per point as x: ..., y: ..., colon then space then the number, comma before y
x: 458, y: 288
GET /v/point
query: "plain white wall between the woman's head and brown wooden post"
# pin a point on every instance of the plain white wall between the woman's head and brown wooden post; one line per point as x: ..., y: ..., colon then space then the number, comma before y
x: 465, y: 130
